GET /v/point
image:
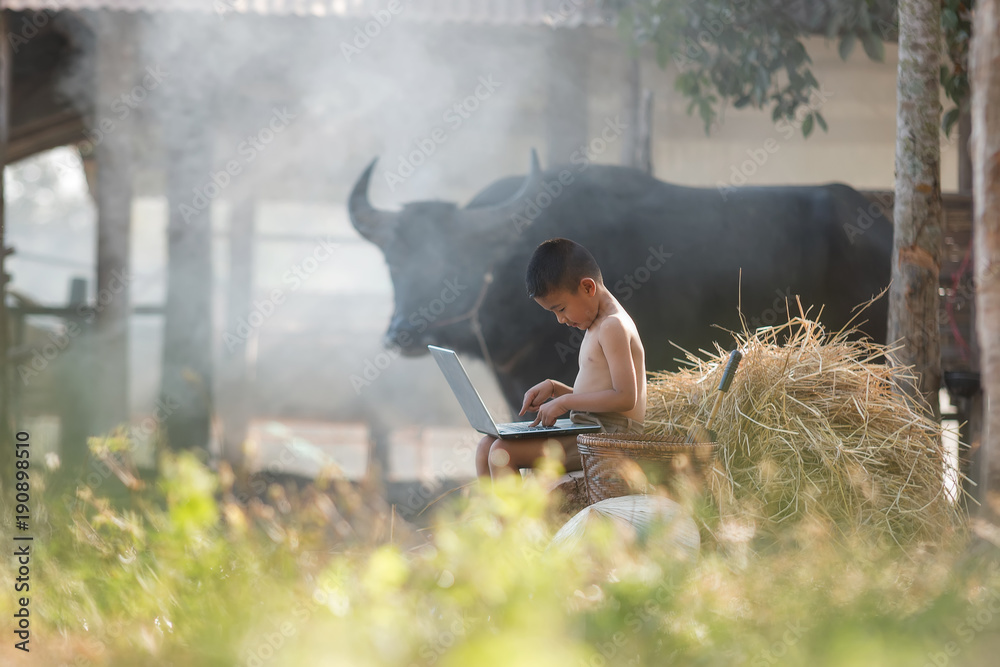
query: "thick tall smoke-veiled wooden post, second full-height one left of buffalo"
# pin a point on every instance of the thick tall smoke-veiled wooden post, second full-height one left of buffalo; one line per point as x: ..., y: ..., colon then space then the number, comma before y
x: 185, y: 107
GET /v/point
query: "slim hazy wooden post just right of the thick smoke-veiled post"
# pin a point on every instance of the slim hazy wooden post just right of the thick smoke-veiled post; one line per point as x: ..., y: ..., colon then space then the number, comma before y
x: 235, y: 390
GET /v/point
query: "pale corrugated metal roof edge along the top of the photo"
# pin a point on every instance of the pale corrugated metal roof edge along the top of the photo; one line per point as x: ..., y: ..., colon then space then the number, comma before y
x: 568, y: 13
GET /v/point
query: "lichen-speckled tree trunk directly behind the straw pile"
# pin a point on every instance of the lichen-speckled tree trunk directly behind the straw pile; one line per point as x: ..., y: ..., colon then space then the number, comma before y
x: 916, y: 262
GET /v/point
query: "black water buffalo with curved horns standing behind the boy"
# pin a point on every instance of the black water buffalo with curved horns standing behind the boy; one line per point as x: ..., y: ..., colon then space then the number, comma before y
x: 672, y: 255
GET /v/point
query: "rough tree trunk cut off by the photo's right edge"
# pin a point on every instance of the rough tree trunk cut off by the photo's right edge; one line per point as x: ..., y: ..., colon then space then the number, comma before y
x: 985, y: 80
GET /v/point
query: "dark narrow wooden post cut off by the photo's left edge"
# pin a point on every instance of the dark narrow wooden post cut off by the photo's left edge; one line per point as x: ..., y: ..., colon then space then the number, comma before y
x: 6, y: 422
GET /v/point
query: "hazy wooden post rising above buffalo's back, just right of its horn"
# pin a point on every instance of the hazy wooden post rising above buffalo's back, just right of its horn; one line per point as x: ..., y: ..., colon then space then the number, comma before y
x: 566, y: 112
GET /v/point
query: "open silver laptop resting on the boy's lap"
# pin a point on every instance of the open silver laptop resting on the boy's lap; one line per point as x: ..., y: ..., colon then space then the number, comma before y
x: 480, y: 417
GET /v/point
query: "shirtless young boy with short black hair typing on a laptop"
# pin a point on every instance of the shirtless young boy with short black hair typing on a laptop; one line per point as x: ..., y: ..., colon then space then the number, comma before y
x: 610, y: 388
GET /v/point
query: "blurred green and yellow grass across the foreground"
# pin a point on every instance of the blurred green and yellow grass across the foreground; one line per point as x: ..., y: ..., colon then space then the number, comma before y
x: 191, y: 572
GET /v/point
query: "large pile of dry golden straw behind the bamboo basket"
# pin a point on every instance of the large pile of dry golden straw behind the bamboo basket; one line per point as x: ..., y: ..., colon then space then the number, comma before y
x: 811, y: 428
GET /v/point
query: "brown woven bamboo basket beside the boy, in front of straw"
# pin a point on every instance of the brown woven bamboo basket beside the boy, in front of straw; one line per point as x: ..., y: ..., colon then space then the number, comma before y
x: 623, y: 464
